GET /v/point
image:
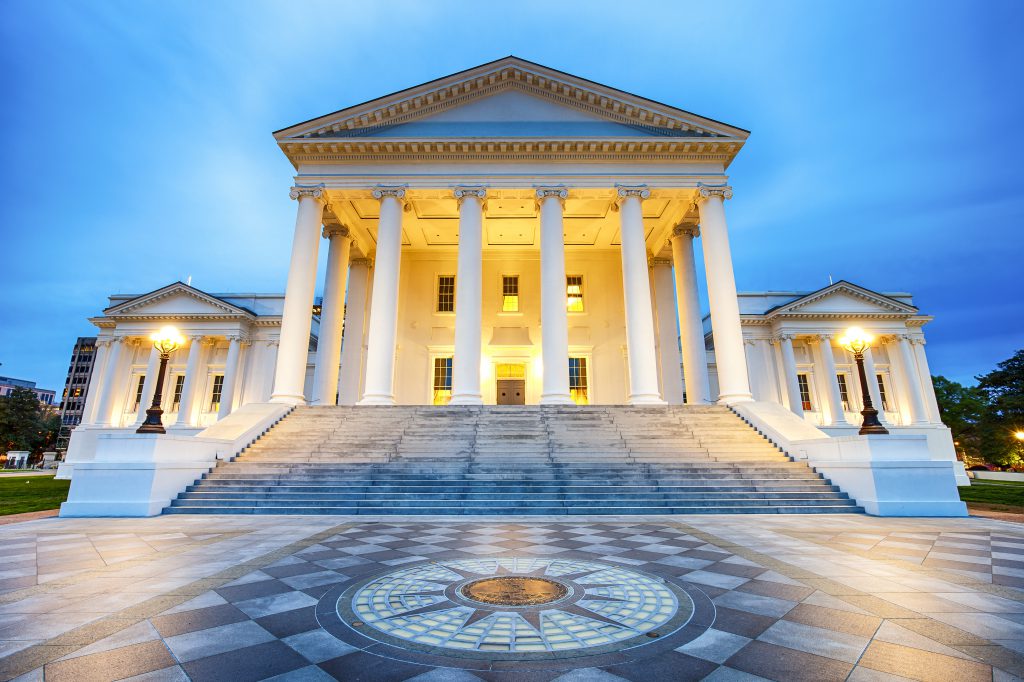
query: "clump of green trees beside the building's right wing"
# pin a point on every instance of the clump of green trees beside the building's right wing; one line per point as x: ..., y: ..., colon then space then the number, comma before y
x: 986, y: 419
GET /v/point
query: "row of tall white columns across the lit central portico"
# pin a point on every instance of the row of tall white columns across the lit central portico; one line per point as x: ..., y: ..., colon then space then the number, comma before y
x: 381, y: 336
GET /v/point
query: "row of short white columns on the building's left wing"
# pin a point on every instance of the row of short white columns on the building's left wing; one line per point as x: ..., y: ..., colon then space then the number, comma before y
x: 108, y: 381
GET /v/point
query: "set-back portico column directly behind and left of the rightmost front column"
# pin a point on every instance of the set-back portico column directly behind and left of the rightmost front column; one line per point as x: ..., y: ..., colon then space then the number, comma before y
x: 691, y: 329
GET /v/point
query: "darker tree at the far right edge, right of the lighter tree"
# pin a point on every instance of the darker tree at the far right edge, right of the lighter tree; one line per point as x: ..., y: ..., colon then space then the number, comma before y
x: 1004, y: 417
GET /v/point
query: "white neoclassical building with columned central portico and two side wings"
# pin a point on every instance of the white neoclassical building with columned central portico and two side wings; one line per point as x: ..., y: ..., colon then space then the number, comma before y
x: 510, y: 235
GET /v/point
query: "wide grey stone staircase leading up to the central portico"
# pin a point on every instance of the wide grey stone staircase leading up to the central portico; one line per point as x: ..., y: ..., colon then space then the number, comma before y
x: 513, y: 460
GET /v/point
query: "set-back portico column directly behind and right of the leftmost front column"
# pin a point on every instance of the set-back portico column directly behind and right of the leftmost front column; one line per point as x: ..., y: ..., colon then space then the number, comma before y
x: 325, y: 390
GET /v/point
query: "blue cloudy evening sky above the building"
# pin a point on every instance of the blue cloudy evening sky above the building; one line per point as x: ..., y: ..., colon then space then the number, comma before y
x: 886, y: 148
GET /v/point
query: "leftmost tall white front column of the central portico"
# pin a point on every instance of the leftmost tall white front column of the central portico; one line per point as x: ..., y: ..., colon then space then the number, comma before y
x: 297, y: 317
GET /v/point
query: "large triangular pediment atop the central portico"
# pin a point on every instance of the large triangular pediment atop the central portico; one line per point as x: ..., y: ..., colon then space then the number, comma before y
x: 546, y: 102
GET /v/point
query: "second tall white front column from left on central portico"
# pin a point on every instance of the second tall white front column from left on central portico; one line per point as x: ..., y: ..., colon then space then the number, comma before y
x: 385, y: 309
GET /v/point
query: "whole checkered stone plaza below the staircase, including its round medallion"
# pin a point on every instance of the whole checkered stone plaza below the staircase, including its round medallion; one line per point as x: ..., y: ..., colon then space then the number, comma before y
x: 844, y: 598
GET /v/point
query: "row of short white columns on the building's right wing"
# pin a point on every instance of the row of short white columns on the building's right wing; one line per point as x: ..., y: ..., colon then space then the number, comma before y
x: 907, y: 359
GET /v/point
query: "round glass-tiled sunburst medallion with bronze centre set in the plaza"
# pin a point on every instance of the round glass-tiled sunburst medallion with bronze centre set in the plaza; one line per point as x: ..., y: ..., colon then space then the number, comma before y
x: 517, y: 606
